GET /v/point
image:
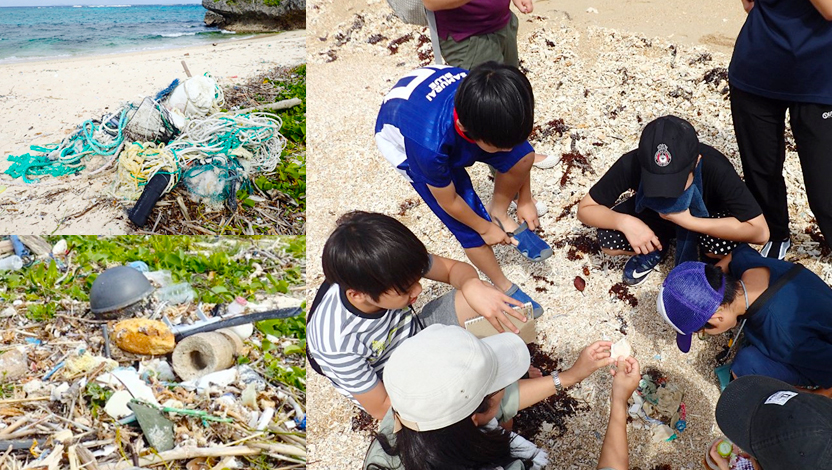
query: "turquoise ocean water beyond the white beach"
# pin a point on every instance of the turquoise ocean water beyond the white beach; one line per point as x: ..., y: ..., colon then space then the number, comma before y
x: 28, y: 33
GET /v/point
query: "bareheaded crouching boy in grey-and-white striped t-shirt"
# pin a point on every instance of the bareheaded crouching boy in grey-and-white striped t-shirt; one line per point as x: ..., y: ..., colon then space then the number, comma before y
x: 363, y: 311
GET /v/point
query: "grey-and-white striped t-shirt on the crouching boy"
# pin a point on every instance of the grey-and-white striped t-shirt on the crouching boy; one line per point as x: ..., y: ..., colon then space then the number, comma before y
x: 350, y: 346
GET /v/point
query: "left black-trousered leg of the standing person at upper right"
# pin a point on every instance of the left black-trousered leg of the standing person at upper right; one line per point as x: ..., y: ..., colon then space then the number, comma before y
x: 759, y: 124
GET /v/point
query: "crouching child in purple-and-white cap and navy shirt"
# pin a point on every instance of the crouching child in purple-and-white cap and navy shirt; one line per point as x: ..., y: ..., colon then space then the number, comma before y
x: 787, y: 309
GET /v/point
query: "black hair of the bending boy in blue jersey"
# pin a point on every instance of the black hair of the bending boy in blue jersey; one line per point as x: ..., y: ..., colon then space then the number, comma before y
x: 495, y: 104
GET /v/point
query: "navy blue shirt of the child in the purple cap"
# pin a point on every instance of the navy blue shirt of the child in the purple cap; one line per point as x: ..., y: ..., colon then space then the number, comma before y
x: 795, y: 326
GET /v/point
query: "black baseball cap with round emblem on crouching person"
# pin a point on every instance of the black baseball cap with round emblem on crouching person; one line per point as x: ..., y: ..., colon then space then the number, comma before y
x: 667, y: 152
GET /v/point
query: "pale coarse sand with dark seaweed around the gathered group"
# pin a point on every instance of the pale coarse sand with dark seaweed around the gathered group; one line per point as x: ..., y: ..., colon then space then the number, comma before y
x: 604, y: 75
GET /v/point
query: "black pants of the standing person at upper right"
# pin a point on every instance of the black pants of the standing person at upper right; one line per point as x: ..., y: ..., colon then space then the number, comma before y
x: 760, y: 125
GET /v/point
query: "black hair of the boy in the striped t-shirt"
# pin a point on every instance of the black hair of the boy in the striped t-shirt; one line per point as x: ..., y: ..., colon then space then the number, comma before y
x: 372, y: 253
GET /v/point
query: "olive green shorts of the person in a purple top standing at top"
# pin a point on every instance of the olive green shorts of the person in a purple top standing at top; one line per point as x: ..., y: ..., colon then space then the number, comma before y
x: 500, y: 46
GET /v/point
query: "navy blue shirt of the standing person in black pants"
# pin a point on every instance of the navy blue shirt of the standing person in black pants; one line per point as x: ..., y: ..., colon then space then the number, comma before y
x: 784, y: 52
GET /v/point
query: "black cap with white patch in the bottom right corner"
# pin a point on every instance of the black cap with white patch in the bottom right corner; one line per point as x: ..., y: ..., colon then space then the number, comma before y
x: 781, y: 427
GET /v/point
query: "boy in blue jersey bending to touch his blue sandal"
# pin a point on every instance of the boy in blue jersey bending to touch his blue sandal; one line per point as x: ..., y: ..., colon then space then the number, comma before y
x: 438, y: 120
